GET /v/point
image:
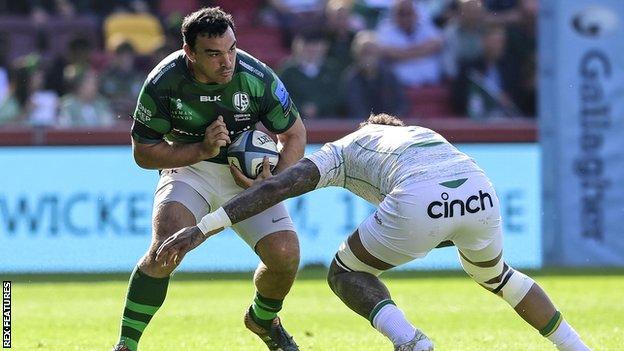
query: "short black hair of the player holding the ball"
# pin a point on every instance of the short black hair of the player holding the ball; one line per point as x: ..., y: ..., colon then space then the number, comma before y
x: 209, y: 21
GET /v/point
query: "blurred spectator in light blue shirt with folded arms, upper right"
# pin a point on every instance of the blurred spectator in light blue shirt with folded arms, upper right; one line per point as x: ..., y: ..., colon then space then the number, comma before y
x: 411, y: 42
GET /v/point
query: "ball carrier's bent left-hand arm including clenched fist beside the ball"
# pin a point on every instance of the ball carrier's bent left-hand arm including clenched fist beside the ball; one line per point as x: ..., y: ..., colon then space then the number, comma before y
x: 162, y: 154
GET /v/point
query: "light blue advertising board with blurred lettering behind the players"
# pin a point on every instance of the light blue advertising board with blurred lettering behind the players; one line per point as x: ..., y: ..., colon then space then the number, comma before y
x: 88, y: 209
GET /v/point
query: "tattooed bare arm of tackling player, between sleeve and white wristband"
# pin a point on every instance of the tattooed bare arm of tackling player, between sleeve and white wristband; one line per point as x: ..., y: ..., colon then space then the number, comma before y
x: 296, y: 180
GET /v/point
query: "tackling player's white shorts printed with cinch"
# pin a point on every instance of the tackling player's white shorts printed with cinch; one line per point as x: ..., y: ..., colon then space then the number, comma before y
x: 414, y: 218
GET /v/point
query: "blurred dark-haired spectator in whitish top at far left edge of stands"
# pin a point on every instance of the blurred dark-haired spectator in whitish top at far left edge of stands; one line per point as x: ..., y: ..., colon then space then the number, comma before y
x: 29, y: 101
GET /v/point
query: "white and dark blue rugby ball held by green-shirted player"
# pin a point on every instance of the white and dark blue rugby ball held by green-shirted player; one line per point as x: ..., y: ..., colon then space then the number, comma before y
x: 249, y: 149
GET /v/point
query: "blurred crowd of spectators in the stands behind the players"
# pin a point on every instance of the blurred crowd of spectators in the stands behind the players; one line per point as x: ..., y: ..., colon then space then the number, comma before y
x: 81, y: 63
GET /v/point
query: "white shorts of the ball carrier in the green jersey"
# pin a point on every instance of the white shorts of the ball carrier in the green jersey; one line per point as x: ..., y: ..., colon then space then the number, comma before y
x: 205, y: 186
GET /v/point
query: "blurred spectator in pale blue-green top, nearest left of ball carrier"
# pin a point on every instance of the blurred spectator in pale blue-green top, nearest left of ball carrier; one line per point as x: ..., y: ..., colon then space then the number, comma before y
x: 84, y: 106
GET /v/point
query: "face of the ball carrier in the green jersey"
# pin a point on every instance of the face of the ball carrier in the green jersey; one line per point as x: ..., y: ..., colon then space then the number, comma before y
x: 213, y: 58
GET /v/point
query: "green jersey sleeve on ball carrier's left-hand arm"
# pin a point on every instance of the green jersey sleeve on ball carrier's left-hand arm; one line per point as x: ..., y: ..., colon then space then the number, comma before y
x: 151, y: 118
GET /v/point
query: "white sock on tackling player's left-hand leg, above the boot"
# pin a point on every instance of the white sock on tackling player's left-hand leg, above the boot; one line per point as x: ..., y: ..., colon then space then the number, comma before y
x: 391, y: 322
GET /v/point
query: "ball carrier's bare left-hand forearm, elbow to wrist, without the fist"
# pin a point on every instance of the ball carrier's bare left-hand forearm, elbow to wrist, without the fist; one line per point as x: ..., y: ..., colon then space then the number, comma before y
x: 164, y: 155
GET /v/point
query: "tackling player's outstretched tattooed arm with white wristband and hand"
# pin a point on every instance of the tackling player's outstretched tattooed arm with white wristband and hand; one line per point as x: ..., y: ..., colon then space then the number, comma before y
x: 299, y: 179
